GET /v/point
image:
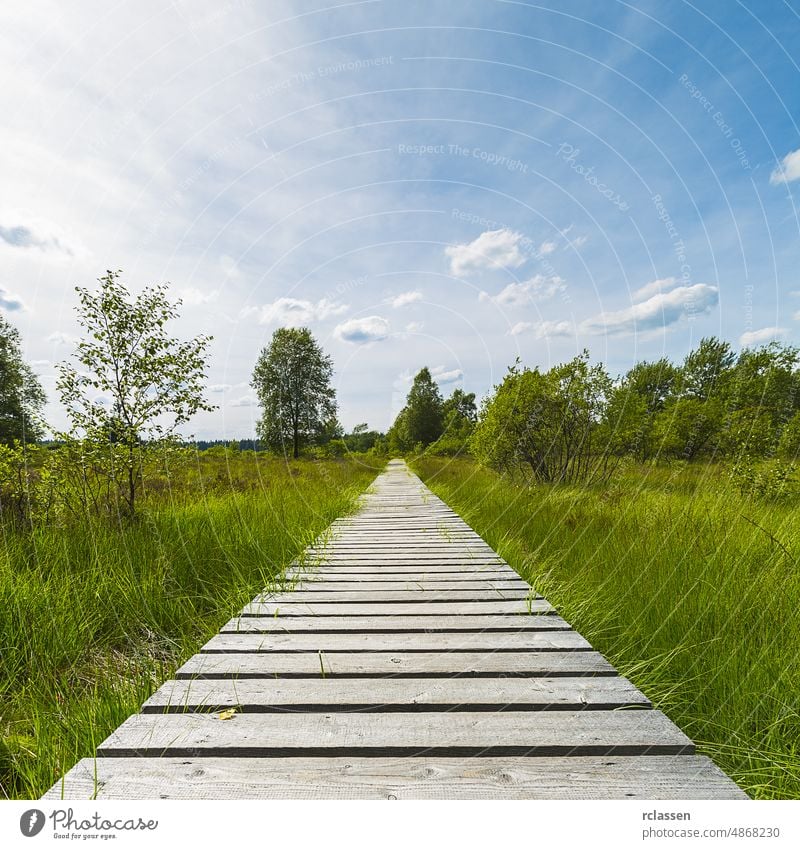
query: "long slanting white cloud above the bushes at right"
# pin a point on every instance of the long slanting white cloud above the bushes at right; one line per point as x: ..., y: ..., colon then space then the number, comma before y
x: 660, y: 310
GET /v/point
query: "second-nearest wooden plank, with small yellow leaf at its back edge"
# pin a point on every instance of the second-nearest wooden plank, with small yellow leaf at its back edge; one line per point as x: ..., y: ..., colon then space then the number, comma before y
x: 557, y: 734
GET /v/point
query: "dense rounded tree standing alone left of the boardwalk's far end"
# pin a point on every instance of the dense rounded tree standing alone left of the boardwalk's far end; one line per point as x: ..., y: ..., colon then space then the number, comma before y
x: 292, y: 379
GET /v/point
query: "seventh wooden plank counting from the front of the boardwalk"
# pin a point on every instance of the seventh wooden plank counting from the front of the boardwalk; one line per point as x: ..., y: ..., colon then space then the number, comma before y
x: 411, y: 608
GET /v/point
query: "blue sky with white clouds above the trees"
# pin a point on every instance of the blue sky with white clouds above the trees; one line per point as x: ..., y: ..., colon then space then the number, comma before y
x: 451, y: 184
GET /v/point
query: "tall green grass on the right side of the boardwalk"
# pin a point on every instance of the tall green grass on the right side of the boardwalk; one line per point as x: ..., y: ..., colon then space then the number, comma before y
x: 689, y: 588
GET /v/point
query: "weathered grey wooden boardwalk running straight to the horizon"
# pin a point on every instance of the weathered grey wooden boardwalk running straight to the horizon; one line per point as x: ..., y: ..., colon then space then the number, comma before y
x: 405, y: 660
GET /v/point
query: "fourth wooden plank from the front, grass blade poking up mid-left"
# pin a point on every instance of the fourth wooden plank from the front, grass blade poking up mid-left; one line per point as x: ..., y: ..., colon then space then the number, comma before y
x: 395, y: 664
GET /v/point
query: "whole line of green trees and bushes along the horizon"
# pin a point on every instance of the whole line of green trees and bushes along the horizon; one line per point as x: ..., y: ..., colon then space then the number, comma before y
x: 130, y: 386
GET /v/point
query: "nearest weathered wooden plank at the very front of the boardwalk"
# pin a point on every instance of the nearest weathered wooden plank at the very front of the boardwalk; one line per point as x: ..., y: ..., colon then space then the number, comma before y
x: 679, y: 777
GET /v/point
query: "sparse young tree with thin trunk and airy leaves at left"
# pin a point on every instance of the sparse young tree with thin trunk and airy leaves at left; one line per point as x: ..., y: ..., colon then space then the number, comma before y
x: 134, y: 385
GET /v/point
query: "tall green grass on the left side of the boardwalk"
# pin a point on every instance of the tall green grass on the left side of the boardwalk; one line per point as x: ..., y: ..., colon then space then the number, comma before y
x: 93, y: 616
